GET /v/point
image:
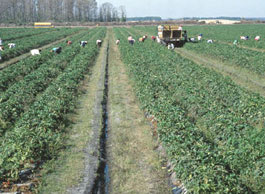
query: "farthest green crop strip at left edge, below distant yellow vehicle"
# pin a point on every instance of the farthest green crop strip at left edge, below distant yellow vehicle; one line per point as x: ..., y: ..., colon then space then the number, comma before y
x: 9, y: 36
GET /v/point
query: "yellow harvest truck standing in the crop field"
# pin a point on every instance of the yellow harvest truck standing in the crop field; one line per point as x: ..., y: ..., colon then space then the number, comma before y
x: 170, y: 34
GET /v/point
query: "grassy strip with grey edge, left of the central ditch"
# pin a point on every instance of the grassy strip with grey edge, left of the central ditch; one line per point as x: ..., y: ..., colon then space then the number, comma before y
x: 75, y: 170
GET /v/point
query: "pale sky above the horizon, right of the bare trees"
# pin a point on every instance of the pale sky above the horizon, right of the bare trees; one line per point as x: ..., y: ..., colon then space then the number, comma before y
x: 191, y: 8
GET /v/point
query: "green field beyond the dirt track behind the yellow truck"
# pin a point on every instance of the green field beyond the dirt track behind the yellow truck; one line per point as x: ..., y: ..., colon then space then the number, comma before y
x: 252, y: 60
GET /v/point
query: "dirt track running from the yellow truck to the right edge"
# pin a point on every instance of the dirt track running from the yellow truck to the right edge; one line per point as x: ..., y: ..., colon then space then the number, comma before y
x: 240, y: 76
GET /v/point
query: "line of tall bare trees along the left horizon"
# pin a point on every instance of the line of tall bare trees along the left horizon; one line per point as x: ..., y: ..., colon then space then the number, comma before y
x: 25, y: 11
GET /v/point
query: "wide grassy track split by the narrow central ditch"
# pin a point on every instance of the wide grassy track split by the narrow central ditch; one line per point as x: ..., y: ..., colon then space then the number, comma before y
x: 134, y: 163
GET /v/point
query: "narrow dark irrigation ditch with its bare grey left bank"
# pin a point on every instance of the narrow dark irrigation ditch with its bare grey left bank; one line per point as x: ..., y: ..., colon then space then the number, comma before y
x: 95, y: 176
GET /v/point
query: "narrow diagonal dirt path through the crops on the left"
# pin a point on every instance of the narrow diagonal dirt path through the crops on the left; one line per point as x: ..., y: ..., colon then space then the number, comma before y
x: 23, y: 56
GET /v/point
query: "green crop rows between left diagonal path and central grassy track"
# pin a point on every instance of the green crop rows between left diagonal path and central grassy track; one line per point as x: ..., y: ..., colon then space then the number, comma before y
x: 36, y: 95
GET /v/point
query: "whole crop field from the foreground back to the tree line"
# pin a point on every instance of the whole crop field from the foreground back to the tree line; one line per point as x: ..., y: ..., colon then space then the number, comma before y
x: 211, y: 128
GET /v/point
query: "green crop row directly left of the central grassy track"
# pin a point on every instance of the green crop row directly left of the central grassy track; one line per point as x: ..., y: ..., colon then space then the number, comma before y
x: 39, y: 134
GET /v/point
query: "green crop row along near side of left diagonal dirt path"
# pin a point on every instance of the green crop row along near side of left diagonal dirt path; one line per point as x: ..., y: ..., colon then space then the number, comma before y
x: 17, y: 71
